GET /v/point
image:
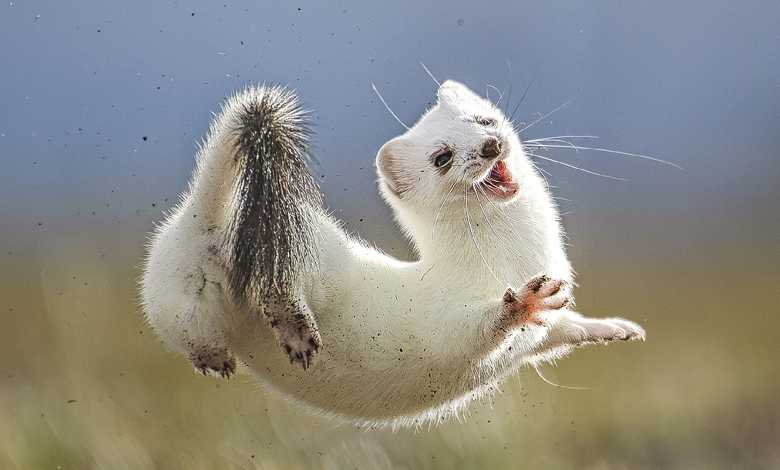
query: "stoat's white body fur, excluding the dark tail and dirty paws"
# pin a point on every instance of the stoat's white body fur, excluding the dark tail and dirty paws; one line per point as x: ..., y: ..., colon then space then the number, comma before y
x: 403, y: 342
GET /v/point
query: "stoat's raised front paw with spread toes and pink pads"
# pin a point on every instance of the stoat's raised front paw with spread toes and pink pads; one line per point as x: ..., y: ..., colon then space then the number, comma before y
x: 539, y: 294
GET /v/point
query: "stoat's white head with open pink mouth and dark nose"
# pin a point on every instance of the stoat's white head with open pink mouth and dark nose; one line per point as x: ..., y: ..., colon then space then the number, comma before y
x: 464, y: 147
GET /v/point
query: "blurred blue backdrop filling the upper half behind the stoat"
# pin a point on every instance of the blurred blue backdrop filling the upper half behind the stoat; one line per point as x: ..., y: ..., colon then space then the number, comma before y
x: 103, y: 103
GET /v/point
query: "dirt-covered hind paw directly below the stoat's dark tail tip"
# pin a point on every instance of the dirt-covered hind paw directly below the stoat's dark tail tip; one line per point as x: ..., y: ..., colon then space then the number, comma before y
x: 294, y: 326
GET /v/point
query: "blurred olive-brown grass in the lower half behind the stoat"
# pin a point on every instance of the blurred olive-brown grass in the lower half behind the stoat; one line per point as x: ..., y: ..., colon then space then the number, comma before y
x: 84, y: 383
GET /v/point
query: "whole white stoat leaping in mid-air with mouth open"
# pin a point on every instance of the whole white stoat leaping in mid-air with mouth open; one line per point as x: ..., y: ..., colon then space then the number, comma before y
x: 250, y: 261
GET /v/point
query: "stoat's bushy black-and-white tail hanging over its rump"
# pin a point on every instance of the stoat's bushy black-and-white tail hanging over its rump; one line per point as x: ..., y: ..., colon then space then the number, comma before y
x: 270, y: 236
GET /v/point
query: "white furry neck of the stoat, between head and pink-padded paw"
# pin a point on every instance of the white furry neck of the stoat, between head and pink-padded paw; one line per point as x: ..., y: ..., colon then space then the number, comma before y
x: 491, y: 246
